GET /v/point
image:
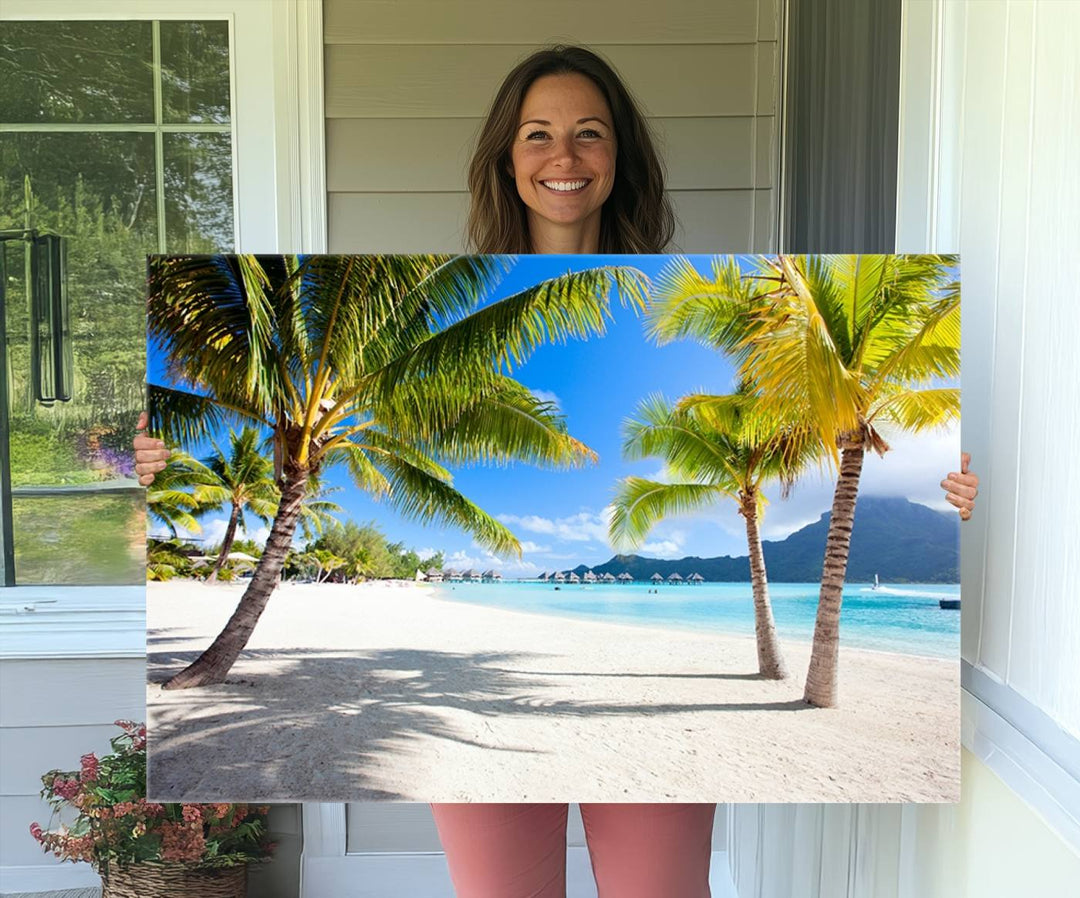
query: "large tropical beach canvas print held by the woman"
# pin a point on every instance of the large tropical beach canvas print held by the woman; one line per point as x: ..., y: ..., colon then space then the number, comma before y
x: 555, y: 529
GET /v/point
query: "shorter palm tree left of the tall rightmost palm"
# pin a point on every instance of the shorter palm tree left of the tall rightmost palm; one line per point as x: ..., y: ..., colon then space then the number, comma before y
x: 718, y: 448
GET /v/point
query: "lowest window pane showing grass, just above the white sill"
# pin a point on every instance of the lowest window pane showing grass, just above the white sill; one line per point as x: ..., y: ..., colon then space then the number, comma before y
x: 82, y: 540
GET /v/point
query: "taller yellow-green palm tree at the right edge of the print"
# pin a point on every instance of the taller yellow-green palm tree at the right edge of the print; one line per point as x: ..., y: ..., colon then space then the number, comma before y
x: 850, y: 345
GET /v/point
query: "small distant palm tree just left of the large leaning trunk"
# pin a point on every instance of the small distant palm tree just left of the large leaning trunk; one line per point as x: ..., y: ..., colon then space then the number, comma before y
x: 245, y: 481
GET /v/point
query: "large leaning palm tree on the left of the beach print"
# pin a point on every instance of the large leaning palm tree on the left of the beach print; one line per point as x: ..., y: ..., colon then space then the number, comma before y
x: 391, y: 366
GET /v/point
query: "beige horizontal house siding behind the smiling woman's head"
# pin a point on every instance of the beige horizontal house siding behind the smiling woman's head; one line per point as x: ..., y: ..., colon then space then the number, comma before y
x: 409, y: 83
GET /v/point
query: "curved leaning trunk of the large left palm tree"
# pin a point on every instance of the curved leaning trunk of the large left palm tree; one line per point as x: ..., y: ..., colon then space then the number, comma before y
x: 213, y: 666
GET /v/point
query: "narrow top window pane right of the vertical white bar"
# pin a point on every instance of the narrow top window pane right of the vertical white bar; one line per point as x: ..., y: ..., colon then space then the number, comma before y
x: 195, y: 72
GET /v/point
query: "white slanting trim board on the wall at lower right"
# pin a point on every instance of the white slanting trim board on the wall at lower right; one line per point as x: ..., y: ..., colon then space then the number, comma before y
x: 1031, y: 770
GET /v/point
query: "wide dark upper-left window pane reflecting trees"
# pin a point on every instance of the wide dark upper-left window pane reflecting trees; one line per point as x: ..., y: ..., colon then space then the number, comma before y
x: 76, y: 72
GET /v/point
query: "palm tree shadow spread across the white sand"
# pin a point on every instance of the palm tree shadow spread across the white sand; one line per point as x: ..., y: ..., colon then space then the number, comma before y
x: 321, y: 725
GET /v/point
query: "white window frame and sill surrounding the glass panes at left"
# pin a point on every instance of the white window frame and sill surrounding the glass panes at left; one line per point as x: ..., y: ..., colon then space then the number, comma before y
x: 279, y: 206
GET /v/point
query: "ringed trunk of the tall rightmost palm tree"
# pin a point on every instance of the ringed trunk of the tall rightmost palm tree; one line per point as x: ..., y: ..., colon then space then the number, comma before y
x: 821, y: 678
